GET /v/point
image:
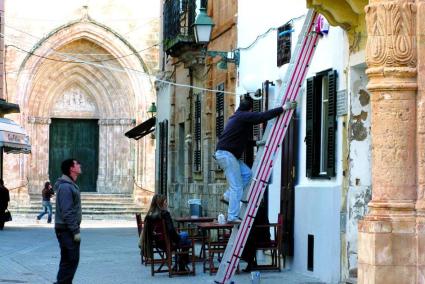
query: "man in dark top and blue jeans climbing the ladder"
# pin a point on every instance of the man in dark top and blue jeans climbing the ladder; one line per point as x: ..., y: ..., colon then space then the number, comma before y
x: 231, y: 145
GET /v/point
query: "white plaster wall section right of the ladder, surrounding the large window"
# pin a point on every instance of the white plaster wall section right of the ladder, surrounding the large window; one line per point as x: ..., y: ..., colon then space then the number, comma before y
x: 318, y: 202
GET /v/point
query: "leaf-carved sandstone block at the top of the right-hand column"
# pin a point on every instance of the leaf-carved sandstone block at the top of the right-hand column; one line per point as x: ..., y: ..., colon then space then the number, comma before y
x: 391, y: 34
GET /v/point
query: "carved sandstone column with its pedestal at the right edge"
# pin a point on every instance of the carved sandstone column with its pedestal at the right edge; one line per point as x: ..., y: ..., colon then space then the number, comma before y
x: 387, y: 235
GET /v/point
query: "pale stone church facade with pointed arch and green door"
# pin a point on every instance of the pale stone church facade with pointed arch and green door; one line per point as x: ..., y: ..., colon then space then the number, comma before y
x: 82, y: 74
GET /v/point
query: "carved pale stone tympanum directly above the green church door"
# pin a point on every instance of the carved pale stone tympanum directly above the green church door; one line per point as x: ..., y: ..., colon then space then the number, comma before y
x: 74, y: 100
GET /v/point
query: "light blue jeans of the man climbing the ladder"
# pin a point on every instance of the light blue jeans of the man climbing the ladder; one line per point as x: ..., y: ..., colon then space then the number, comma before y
x: 238, y: 175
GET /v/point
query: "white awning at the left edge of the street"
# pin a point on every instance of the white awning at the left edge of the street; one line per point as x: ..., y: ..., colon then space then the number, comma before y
x: 13, y: 137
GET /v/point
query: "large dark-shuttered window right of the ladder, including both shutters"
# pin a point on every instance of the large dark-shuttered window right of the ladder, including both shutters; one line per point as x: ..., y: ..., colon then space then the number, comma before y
x: 321, y: 125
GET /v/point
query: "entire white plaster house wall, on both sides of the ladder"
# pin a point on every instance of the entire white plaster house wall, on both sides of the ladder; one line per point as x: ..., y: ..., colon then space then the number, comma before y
x: 317, y: 202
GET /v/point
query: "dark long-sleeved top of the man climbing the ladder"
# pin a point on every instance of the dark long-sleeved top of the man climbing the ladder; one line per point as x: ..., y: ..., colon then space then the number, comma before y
x: 236, y: 134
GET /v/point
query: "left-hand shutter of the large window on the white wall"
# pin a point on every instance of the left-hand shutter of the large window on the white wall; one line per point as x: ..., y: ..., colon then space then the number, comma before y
x: 309, y: 127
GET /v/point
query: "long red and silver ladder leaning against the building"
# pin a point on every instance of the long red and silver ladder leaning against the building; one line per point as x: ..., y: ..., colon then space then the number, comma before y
x: 275, y: 133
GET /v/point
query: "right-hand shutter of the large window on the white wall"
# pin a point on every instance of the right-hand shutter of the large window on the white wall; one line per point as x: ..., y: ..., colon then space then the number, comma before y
x: 332, y: 76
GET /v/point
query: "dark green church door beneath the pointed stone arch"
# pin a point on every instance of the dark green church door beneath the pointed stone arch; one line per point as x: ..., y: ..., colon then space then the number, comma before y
x: 78, y: 139
